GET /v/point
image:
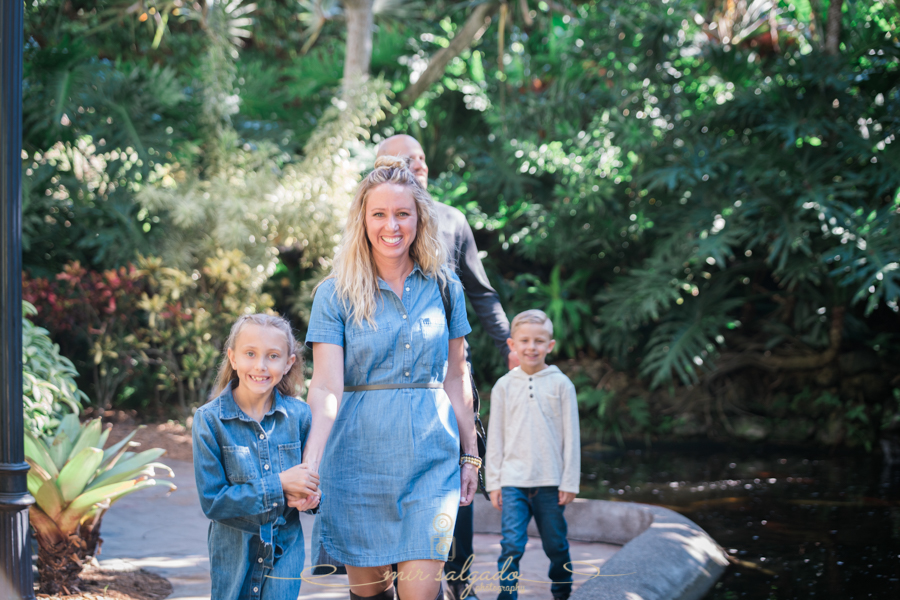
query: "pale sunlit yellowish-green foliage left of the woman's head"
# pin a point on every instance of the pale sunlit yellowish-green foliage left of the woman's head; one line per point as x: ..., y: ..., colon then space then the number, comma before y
x: 258, y: 199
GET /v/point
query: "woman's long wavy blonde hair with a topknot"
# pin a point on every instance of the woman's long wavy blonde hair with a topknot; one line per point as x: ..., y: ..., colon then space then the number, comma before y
x: 354, y: 272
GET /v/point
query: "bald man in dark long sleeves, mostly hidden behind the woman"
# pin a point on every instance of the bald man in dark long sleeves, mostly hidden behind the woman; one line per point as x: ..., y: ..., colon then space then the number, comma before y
x: 465, y: 261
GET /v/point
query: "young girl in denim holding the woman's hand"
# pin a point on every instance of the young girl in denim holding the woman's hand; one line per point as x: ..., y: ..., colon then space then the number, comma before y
x: 248, y: 443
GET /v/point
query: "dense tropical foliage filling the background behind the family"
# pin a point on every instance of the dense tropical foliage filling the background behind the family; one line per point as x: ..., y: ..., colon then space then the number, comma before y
x: 703, y: 194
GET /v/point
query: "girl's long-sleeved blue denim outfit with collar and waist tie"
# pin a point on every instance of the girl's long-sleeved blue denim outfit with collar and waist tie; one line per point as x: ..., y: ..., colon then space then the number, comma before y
x: 254, y: 536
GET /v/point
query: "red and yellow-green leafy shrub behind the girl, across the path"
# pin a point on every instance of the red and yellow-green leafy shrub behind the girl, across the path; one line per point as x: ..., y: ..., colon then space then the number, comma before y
x: 148, y: 322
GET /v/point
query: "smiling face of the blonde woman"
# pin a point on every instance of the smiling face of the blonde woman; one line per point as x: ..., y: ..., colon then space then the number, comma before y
x: 391, y: 221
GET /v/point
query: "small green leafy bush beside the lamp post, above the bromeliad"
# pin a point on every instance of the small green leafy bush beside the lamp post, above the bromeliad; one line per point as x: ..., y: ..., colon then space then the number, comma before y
x: 49, y: 390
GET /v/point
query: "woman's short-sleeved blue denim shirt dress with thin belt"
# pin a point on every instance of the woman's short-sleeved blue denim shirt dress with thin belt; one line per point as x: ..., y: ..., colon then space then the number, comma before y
x: 390, y: 471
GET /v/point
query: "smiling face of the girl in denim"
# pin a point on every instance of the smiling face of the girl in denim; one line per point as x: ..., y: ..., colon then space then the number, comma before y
x: 260, y: 358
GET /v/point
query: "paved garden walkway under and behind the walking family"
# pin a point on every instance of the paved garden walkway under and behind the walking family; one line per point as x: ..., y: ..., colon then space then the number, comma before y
x: 167, y: 535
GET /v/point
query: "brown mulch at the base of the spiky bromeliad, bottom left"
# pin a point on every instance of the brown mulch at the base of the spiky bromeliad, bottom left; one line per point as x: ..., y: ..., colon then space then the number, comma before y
x: 101, y: 584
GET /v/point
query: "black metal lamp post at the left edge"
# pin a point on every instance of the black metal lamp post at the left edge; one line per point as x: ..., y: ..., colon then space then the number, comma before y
x: 15, y: 549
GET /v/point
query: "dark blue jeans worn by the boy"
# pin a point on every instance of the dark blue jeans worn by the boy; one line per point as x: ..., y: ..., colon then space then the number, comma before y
x: 519, y: 505
